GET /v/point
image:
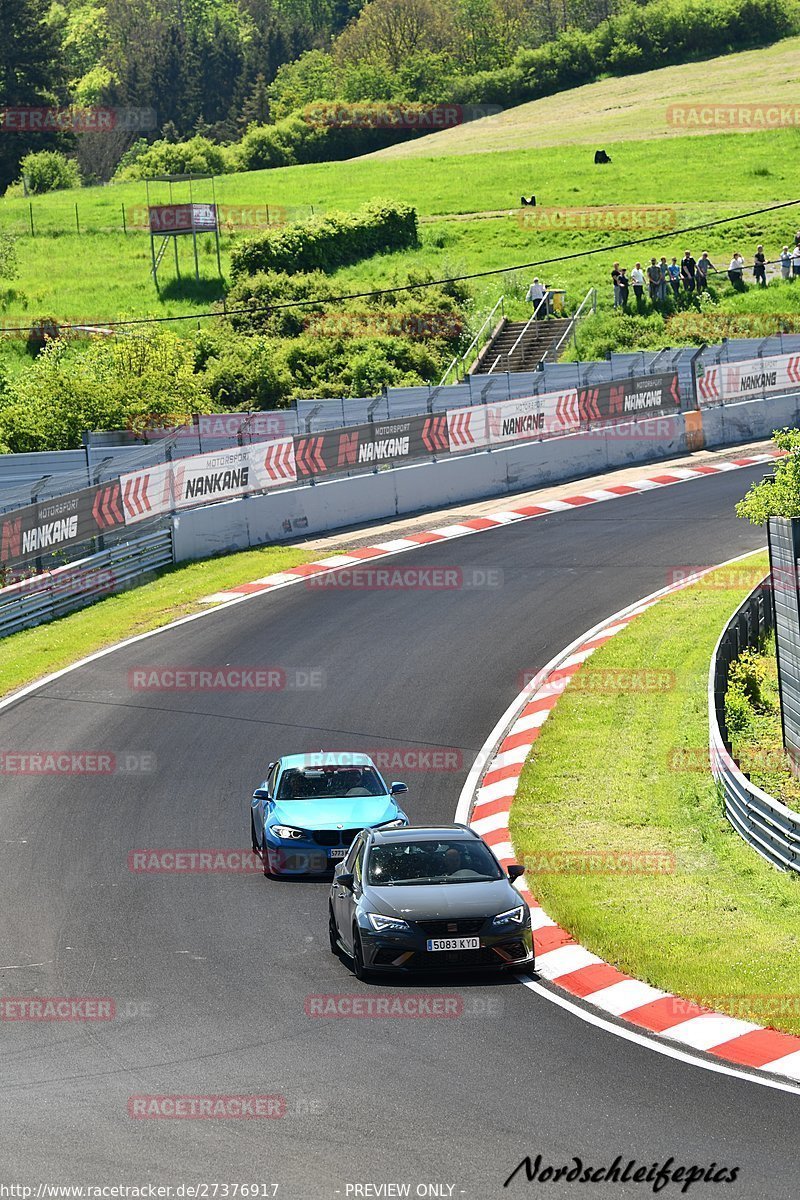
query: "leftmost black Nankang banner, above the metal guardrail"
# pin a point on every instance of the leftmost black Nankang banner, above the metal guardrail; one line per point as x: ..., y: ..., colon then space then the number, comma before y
x: 47, y: 526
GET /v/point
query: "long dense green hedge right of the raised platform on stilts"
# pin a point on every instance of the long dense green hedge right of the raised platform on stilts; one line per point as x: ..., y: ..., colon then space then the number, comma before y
x: 328, y: 243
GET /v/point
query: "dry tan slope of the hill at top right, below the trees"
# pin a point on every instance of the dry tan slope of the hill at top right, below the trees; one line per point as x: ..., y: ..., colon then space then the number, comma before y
x: 629, y: 109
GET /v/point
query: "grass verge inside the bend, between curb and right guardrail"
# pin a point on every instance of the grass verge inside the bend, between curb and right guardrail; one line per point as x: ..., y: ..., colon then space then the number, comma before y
x: 627, y: 771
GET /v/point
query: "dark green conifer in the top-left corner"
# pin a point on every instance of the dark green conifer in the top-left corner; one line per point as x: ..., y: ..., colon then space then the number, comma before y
x: 32, y: 74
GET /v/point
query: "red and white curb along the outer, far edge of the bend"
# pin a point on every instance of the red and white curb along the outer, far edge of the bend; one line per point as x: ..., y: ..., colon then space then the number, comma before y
x: 478, y: 525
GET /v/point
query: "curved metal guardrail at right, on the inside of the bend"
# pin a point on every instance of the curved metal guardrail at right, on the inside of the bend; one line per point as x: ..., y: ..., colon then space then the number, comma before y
x: 772, y: 829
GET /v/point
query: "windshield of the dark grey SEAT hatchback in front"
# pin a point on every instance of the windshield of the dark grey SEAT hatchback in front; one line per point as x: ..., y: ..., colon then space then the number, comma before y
x: 417, y: 863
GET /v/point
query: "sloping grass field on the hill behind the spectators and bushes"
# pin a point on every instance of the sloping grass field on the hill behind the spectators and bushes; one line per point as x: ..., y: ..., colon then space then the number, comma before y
x: 104, y: 274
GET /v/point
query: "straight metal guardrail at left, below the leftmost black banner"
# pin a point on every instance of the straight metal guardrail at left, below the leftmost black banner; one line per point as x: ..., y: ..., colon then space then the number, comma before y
x: 45, y: 597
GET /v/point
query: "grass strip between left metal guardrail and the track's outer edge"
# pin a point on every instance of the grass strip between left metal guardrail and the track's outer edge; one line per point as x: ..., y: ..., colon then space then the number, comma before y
x: 177, y: 592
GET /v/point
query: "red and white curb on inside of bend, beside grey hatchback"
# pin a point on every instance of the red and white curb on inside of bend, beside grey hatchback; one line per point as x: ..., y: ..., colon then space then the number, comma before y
x: 486, y: 803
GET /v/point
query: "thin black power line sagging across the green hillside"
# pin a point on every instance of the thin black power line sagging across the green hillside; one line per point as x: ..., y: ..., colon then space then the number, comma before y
x: 429, y: 284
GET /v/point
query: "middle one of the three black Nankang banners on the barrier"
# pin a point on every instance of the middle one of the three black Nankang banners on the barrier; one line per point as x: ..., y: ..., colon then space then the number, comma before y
x: 371, y: 445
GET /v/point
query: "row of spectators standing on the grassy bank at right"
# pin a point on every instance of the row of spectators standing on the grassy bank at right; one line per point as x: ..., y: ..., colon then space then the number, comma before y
x: 661, y: 279
